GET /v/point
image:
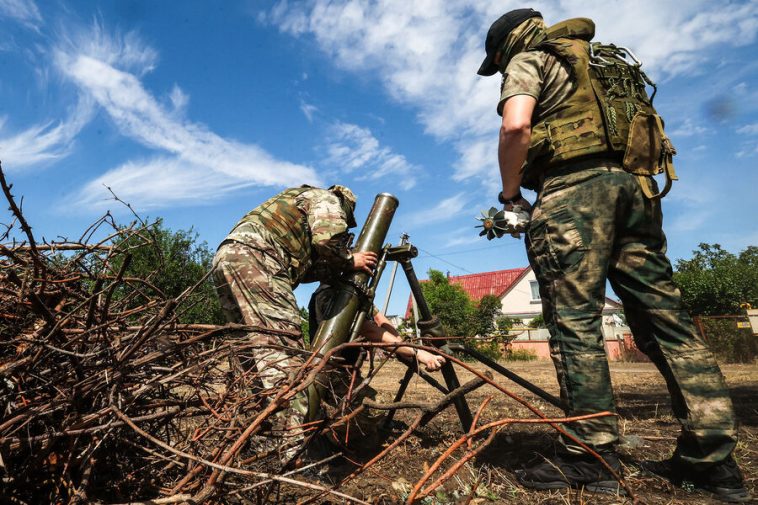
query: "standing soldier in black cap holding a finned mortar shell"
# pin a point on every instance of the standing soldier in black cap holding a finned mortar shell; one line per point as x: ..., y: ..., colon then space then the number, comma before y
x: 564, y: 129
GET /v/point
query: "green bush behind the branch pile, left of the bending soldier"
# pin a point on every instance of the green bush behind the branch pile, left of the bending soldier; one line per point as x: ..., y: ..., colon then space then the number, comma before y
x: 173, y: 261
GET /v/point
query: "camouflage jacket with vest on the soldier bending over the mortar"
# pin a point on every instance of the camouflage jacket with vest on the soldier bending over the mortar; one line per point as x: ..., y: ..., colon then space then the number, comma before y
x: 305, y: 228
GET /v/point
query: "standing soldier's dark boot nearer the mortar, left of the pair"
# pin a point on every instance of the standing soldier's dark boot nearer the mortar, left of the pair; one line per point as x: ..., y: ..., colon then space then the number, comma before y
x: 572, y: 470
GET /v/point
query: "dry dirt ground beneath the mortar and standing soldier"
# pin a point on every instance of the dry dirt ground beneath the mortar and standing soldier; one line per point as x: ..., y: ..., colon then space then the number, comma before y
x: 648, y: 427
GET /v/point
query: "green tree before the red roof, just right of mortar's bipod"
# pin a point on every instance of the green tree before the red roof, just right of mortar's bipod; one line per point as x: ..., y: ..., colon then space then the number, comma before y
x: 450, y: 303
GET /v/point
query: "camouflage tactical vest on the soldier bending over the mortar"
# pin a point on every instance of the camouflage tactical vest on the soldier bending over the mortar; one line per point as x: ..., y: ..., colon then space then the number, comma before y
x: 288, y: 225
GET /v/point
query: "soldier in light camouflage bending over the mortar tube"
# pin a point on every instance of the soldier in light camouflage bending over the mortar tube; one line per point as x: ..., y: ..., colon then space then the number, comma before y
x: 299, y: 235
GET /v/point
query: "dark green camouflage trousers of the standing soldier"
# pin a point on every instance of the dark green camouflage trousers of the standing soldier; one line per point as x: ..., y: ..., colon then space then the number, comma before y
x: 592, y: 224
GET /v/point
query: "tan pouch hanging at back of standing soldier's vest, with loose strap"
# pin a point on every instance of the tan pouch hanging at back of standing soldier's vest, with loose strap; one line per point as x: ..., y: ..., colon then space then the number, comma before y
x: 649, y: 152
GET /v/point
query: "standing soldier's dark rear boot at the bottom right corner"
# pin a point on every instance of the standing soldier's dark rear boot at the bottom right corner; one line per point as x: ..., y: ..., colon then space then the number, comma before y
x: 723, y: 480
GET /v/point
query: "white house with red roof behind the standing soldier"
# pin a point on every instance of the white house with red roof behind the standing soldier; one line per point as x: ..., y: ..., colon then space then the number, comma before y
x: 519, y: 296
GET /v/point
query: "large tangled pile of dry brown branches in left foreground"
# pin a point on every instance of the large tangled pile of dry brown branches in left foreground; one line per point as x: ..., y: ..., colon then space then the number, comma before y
x: 105, y: 397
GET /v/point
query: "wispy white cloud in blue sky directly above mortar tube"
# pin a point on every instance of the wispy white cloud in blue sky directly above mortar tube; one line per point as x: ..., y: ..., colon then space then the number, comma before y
x: 352, y: 148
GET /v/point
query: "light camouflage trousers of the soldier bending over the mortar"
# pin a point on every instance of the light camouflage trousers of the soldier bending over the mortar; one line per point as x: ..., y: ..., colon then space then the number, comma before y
x: 254, y: 289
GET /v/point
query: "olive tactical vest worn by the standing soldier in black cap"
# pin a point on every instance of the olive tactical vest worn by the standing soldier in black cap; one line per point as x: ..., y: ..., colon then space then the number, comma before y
x: 609, y: 114
